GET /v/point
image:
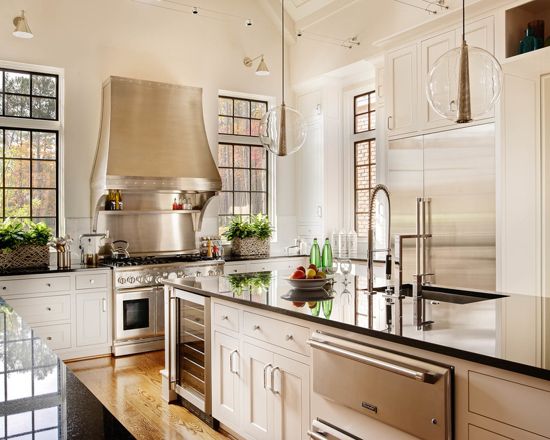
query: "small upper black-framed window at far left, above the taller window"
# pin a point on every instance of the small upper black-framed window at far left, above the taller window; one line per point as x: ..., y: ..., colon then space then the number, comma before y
x: 29, y: 95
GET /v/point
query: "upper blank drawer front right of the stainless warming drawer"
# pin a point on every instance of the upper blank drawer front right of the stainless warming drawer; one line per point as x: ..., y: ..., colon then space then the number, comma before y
x: 512, y: 403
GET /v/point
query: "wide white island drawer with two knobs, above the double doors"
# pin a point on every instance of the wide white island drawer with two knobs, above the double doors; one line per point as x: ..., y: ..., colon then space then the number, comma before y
x: 290, y: 336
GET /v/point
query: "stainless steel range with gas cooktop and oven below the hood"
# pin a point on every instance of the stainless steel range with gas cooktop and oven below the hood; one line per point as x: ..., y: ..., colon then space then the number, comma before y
x: 139, y: 297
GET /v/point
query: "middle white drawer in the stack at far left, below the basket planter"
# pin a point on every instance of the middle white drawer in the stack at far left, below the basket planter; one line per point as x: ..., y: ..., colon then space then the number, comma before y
x: 43, y: 310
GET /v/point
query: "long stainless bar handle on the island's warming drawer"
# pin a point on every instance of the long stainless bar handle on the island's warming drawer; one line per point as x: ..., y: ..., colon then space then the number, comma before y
x: 422, y: 376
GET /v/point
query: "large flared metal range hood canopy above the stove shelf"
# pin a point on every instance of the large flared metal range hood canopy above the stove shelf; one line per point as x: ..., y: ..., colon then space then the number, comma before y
x: 152, y: 138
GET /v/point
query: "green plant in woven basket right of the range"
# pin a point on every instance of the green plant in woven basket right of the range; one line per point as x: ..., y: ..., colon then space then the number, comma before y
x: 249, y: 237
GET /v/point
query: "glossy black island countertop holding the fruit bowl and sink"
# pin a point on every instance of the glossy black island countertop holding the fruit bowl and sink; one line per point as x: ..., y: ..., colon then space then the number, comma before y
x: 504, y: 332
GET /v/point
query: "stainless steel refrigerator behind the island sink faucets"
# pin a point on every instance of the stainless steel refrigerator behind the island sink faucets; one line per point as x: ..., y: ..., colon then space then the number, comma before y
x: 455, y: 170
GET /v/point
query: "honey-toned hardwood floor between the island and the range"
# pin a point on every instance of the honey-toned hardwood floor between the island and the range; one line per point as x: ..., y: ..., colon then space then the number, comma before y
x: 130, y: 388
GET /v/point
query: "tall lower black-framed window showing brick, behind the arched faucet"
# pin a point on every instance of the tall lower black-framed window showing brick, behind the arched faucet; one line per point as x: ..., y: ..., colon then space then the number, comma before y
x: 364, y: 182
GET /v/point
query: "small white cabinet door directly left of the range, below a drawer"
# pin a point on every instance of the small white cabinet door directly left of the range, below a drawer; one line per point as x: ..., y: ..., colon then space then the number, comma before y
x: 91, y: 318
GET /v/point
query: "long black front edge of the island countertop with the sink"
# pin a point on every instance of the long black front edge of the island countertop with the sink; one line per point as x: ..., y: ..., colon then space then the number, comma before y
x: 503, y: 364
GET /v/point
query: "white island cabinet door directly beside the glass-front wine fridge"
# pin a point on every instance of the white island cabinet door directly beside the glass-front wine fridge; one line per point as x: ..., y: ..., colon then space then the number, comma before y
x: 226, y: 387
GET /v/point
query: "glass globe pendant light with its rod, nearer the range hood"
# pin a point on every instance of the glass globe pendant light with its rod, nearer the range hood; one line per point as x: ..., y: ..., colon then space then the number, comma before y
x: 282, y: 129
